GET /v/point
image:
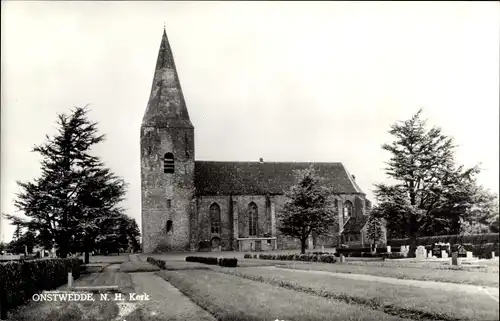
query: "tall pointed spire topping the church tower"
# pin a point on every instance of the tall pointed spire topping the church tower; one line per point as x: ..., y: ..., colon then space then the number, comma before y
x: 166, y: 105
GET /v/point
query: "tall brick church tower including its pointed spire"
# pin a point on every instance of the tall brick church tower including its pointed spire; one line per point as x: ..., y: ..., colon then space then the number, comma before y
x: 167, y: 161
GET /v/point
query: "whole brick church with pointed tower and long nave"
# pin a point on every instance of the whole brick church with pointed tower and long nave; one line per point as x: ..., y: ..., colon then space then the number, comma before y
x: 195, y: 205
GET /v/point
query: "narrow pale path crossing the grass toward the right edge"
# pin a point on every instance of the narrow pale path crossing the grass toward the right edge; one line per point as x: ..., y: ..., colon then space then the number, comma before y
x: 473, y: 289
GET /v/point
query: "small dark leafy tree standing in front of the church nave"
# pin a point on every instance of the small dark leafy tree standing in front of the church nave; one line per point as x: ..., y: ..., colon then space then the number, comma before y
x: 309, y: 208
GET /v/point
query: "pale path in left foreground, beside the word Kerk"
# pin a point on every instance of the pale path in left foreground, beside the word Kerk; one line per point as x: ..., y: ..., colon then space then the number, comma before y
x: 165, y: 301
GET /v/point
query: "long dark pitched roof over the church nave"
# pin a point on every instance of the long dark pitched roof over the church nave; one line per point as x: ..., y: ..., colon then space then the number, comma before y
x: 261, y: 178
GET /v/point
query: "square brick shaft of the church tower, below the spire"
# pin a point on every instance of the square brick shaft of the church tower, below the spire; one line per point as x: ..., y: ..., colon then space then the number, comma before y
x: 158, y: 188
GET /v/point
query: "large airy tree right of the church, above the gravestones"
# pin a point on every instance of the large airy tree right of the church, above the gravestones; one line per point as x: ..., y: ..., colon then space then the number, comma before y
x: 431, y: 193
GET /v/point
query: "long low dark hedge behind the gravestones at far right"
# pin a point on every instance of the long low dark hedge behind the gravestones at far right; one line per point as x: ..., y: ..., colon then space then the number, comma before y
x: 452, y: 239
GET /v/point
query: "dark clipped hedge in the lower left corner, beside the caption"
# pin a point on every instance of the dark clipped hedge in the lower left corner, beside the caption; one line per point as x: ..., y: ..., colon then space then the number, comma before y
x: 19, y: 280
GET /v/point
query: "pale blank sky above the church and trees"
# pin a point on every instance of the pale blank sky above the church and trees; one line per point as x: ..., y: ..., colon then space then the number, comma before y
x: 286, y: 81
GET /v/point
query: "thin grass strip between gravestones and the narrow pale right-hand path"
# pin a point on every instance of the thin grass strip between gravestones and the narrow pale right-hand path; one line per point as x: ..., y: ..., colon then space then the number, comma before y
x: 463, y: 277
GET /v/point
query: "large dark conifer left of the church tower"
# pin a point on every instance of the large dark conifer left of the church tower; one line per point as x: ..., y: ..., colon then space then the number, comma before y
x: 75, y: 192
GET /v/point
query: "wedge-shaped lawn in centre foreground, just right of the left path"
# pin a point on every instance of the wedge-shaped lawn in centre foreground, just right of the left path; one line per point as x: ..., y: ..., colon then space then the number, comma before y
x: 234, y: 298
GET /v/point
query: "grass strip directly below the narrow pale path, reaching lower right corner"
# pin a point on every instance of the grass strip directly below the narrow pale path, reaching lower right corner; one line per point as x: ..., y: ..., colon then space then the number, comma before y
x: 414, y: 302
